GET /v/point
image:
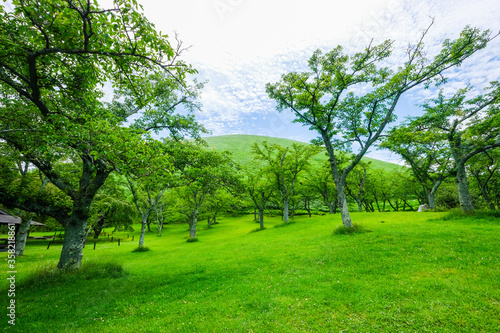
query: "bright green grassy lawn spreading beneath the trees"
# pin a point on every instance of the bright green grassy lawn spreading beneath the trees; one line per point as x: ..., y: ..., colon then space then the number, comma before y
x: 414, y: 272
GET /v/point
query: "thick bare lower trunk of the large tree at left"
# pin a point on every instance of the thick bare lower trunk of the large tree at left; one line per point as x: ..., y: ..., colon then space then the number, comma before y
x: 74, y: 240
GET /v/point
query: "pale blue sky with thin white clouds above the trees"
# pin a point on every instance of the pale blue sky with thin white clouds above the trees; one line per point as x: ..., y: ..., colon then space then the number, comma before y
x: 240, y: 45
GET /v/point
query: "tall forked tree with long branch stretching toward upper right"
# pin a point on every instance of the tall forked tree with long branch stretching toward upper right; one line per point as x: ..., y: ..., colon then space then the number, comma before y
x: 324, y: 98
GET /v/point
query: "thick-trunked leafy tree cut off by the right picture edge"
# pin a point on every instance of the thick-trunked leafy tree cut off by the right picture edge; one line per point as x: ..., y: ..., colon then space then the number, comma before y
x: 469, y: 126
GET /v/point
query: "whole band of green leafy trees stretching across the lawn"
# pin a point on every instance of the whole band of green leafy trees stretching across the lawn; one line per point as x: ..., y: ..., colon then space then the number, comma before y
x: 64, y: 142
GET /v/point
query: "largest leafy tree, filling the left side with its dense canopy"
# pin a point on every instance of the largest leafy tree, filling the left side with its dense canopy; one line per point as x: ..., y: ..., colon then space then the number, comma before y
x: 55, y: 58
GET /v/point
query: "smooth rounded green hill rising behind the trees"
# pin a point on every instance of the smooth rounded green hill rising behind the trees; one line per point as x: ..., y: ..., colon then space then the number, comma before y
x: 239, y: 145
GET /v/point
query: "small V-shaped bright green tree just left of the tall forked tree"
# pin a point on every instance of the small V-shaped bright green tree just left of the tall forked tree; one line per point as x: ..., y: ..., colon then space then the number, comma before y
x: 285, y: 165
